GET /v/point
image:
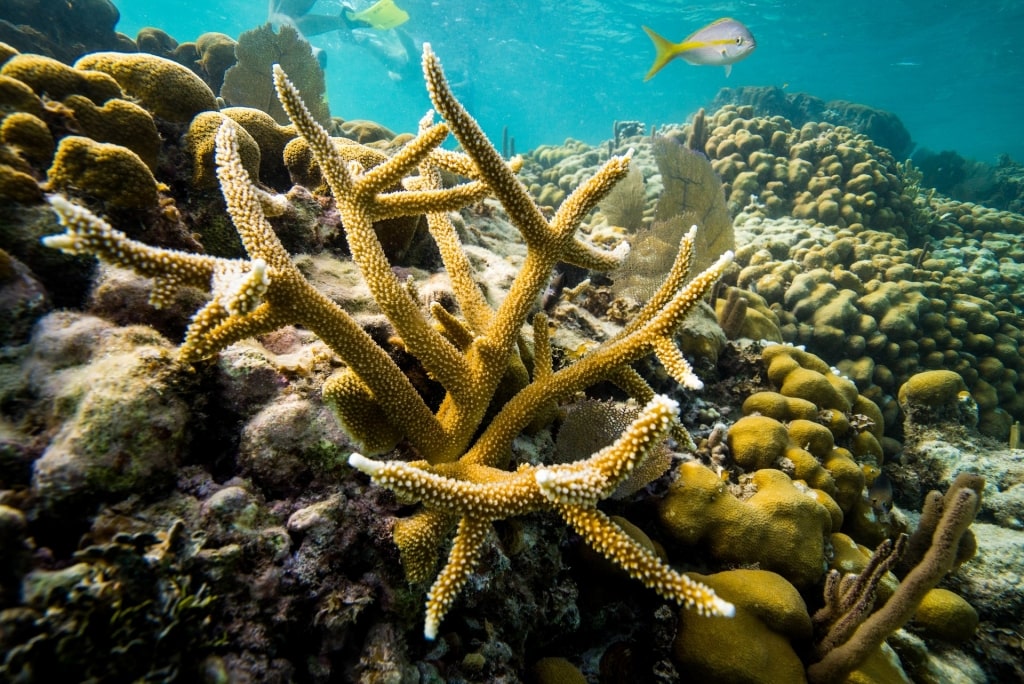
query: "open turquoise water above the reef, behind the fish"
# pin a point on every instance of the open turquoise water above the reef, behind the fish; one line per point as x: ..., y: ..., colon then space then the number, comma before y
x: 953, y: 71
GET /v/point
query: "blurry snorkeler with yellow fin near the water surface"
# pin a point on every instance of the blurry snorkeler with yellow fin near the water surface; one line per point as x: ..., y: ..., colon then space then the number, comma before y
x: 376, y: 28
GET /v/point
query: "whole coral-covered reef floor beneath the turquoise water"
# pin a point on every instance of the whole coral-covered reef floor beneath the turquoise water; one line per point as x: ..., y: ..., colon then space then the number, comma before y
x: 177, y: 500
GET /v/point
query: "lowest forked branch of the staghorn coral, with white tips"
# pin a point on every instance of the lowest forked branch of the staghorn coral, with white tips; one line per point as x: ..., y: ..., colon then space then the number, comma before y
x: 481, y: 495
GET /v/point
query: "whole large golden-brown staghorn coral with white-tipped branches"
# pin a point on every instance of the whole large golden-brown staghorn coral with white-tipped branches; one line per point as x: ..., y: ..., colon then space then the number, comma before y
x: 460, y: 479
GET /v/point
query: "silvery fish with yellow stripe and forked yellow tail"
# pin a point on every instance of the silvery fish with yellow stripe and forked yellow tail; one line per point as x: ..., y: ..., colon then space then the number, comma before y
x: 721, y: 44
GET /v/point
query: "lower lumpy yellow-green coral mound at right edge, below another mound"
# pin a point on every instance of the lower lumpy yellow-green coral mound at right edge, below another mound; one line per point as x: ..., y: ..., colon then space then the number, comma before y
x: 882, y: 312
